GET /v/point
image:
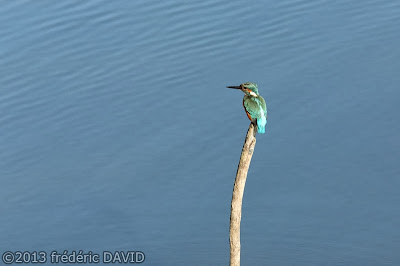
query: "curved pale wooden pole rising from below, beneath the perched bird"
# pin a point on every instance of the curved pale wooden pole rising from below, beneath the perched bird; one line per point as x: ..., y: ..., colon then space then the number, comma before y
x: 237, y: 195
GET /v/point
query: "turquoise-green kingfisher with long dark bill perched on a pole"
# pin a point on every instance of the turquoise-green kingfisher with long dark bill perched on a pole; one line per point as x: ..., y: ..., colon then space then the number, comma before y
x: 254, y: 105
